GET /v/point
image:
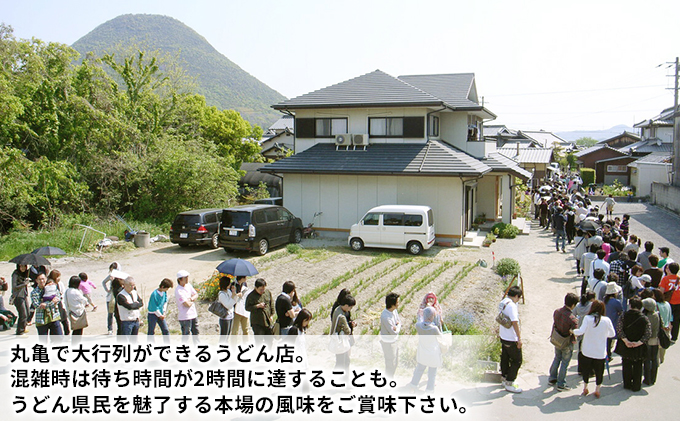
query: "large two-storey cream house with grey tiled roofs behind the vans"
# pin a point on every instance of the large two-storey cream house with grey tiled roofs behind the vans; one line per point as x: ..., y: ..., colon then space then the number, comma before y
x: 412, y: 140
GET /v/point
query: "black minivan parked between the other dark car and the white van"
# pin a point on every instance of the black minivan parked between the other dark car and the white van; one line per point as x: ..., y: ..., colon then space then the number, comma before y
x: 258, y: 227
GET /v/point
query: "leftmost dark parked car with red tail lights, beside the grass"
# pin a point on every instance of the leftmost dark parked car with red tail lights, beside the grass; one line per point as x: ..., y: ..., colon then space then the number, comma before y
x: 199, y: 226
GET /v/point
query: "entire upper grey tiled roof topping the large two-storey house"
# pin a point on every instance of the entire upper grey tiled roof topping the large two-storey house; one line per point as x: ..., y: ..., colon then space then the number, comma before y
x: 378, y: 89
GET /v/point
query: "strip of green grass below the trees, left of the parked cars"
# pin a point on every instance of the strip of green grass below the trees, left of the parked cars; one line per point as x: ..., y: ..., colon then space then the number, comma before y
x: 67, y: 236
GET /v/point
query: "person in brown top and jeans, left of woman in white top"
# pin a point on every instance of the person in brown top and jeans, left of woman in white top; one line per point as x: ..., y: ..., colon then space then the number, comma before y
x: 564, y: 322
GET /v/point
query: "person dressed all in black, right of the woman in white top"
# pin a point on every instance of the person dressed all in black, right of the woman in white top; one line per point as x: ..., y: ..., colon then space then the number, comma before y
x: 634, y: 331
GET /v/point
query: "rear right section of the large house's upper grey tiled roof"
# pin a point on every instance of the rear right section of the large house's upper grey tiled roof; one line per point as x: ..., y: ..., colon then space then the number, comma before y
x: 454, y: 89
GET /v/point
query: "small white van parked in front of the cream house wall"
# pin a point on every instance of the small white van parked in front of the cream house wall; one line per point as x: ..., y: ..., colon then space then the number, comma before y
x: 394, y: 226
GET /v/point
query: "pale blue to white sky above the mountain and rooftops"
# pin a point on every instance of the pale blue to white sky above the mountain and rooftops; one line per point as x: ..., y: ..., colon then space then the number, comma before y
x: 548, y: 65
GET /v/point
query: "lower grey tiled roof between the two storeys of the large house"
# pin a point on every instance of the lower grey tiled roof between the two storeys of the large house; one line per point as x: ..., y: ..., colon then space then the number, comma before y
x: 431, y: 158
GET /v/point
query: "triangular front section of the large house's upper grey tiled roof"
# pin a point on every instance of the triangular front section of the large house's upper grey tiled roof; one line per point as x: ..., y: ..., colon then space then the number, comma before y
x: 372, y: 89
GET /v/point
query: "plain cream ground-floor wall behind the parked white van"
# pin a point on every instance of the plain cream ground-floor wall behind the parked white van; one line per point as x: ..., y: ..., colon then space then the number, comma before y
x: 344, y: 199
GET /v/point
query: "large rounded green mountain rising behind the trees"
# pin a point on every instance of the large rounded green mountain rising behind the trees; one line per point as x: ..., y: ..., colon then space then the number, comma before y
x: 223, y: 83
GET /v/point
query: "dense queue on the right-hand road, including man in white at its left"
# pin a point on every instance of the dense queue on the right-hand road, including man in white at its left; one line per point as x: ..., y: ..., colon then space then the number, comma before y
x: 629, y: 303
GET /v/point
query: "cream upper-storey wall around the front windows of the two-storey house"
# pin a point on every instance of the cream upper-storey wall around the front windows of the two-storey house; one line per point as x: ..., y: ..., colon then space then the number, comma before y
x: 357, y: 123
